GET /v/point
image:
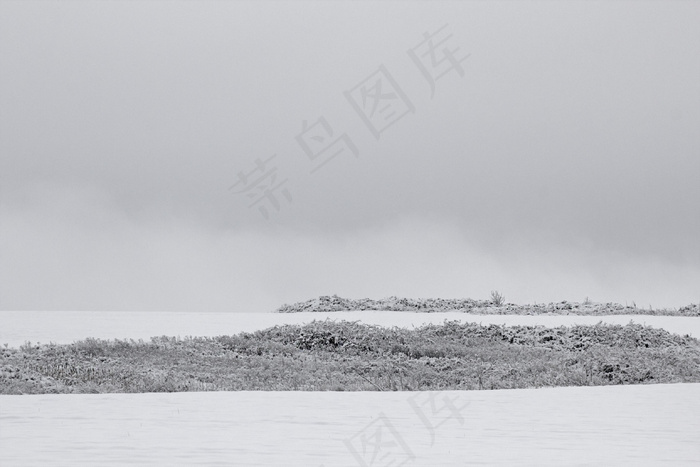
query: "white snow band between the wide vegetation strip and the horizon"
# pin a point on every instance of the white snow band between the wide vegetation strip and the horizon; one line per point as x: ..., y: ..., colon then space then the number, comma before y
x: 64, y: 327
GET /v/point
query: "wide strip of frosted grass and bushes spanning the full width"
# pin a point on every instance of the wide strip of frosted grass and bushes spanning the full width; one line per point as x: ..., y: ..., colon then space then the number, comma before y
x: 330, y: 355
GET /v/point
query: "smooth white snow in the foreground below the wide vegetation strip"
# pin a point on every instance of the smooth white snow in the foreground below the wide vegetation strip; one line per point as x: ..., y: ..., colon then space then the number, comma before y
x: 613, y: 425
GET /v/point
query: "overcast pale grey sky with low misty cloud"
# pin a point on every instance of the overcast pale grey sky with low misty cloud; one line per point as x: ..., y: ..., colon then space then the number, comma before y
x: 556, y: 157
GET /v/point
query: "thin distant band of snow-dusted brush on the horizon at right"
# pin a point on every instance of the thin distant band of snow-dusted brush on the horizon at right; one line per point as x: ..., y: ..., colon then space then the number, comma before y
x: 481, y: 307
